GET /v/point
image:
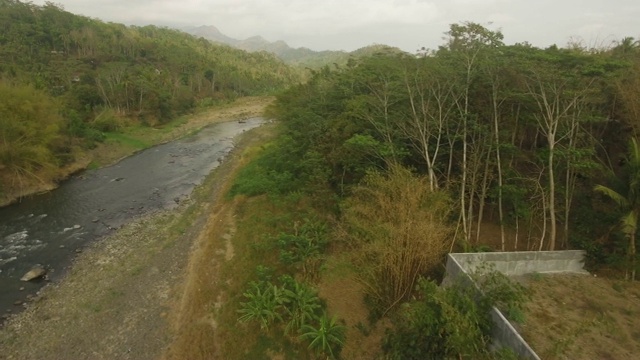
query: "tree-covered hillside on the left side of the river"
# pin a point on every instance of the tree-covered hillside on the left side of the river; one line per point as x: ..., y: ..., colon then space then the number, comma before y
x: 66, y: 79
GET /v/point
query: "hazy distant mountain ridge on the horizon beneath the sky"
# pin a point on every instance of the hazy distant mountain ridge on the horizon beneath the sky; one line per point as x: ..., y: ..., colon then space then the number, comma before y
x: 295, y: 56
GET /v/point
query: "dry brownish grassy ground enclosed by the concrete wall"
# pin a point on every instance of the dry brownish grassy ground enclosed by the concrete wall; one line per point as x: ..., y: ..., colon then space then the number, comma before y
x: 582, y: 317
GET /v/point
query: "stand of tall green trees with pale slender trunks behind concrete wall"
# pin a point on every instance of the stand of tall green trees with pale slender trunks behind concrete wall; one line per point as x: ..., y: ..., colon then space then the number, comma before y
x: 515, y: 134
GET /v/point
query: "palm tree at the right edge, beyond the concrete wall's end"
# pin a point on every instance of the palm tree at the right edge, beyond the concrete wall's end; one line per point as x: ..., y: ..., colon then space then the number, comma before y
x: 629, y: 202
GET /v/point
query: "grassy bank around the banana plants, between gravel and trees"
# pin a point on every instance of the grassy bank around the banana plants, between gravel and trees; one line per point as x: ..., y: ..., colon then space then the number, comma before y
x: 239, y: 245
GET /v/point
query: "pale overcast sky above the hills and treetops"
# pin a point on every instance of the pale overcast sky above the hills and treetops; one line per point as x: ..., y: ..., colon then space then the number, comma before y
x: 352, y: 24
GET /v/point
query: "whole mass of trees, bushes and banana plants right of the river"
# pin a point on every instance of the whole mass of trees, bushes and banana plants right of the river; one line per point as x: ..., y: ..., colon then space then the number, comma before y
x: 391, y: 161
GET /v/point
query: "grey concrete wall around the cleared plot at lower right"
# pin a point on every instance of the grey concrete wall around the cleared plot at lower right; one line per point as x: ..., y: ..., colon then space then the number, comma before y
x: 512, y: 264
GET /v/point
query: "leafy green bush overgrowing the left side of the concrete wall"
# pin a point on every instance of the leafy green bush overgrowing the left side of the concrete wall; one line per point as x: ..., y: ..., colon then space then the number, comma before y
x: 452, y: 321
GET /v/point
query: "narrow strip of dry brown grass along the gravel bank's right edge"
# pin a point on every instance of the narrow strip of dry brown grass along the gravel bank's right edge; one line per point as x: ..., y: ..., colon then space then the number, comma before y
x: 195, y: 319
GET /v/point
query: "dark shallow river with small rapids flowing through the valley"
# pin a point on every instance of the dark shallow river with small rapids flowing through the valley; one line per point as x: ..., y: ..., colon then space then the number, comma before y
x: 49, y: 229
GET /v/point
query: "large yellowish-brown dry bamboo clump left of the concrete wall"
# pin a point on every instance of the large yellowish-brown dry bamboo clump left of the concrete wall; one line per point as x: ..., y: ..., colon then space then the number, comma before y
x: 398, y: 231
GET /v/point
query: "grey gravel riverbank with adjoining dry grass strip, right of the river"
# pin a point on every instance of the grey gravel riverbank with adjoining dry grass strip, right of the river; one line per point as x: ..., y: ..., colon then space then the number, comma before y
x: 136, y: 293
